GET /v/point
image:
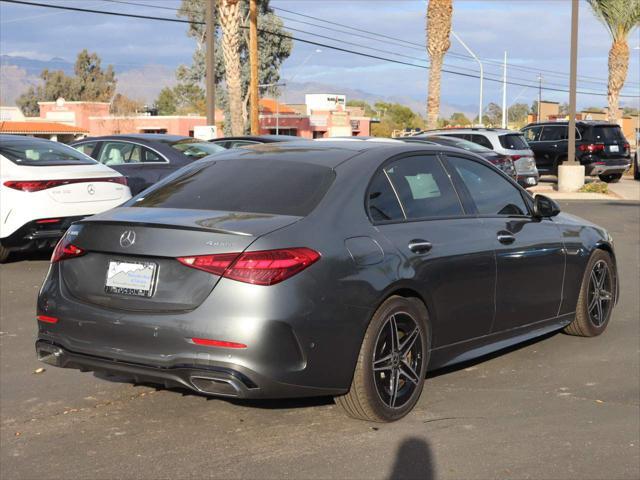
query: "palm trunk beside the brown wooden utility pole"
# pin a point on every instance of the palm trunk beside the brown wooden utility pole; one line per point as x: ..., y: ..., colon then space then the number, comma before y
x: 230, y: 22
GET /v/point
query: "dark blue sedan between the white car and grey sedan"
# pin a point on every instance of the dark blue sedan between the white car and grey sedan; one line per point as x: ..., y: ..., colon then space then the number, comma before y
x: 145, y: 158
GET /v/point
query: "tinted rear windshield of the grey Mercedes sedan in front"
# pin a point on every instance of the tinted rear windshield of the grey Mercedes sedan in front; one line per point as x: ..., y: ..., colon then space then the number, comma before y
x: 243, y: 185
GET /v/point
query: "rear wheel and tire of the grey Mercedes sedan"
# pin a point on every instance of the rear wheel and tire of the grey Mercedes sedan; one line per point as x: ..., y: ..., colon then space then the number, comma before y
x: 389, y: 369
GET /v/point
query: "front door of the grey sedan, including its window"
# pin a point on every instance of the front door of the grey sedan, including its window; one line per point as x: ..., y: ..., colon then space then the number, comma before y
x: 530, y: 257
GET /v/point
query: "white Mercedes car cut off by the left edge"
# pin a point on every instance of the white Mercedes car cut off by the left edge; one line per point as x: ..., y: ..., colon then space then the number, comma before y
x: 44, y: 187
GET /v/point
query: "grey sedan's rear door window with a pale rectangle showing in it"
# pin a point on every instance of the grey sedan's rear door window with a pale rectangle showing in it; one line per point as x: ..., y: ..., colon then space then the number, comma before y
x: 424, y: 188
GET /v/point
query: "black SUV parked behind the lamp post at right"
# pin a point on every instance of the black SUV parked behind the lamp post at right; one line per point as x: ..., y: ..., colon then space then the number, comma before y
x: 600, y: 146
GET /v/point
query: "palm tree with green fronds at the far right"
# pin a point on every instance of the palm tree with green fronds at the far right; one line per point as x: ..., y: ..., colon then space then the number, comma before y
x: 620, y: 17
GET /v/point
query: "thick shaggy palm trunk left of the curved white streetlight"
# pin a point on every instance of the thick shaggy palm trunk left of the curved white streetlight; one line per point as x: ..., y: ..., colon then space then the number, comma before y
x: 439, y: 13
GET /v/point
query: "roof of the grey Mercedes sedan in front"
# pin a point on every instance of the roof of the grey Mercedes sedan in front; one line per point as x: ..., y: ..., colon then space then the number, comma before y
x: 327, y: 153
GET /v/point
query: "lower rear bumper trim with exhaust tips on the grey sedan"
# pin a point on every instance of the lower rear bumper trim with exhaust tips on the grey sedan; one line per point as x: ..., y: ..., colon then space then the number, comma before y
x: 222, y: 380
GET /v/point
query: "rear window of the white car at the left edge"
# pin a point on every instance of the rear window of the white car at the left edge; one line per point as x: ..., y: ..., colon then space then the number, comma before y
x: 42, y: 153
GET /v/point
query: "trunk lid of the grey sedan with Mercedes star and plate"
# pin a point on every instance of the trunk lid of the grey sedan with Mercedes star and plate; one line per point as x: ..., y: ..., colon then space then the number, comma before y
x: 150, y: 240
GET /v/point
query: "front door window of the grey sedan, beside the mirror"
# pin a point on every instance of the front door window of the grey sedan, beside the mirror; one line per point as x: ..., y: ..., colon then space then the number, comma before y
x: 491, y: 193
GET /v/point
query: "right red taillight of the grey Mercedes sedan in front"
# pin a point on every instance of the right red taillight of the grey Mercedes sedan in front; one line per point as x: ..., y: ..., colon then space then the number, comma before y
x: 266, y: 267
